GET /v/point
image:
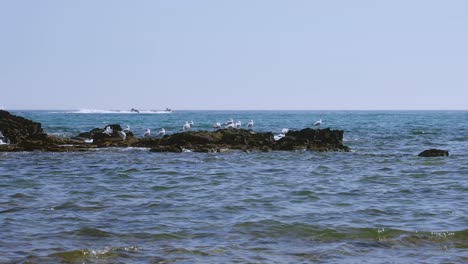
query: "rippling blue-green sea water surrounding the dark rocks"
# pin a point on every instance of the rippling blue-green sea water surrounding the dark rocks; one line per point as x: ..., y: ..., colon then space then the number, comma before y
x: 379, y: 203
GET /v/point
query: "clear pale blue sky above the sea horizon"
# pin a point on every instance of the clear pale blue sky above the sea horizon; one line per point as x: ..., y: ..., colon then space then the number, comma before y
x: 234, y: 55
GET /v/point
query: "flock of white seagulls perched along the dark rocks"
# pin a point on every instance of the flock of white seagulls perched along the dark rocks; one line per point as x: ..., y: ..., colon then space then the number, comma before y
x: 229, y: 124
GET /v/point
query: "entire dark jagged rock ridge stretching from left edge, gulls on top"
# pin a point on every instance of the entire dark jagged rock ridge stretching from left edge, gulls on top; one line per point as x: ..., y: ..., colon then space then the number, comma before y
x: 26, y: 135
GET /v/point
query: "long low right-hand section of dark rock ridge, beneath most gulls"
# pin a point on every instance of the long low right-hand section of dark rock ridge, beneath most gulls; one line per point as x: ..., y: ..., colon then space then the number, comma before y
x: 248, y: 140
